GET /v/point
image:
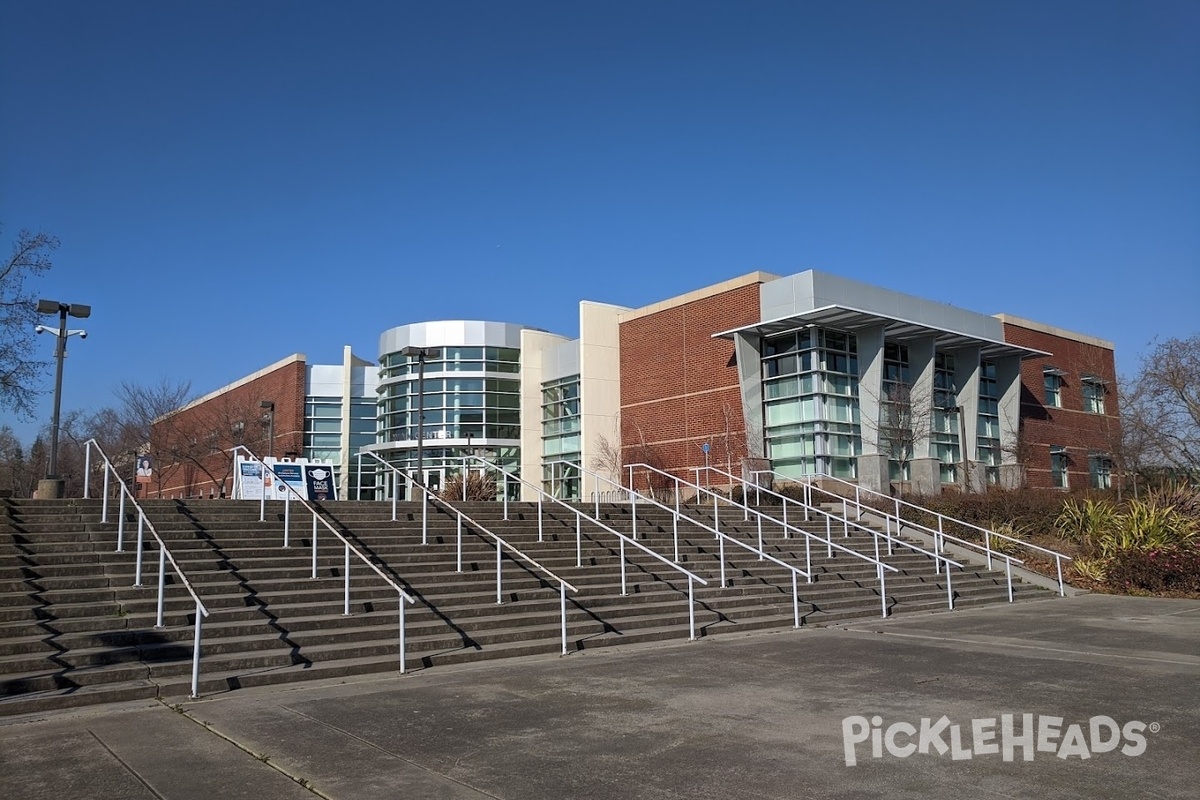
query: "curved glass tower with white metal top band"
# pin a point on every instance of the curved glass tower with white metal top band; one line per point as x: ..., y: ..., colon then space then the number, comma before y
x: 472, y: 396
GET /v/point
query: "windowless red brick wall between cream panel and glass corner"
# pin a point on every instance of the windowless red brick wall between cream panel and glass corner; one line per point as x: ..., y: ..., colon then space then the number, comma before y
x: 680, y: 387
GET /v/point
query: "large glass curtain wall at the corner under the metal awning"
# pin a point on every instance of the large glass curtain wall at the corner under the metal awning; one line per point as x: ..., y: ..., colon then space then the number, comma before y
x: 811, y: 404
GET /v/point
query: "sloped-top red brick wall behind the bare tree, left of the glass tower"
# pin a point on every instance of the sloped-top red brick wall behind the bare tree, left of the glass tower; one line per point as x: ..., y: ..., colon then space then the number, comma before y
x: 205, y: 468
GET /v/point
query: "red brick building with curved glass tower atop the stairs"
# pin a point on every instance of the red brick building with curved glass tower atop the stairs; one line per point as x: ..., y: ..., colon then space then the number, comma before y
x: 805, y: 375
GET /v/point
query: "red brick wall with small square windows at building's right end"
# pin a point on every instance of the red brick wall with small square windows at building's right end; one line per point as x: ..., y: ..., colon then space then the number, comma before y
x: 1071, y: 426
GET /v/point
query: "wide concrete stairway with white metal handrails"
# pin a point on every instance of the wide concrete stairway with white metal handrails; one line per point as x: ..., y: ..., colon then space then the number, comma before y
x: 74, y: 630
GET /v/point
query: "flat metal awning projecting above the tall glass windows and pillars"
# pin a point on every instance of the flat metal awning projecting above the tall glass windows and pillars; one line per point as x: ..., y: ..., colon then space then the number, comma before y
x: 844, y: 318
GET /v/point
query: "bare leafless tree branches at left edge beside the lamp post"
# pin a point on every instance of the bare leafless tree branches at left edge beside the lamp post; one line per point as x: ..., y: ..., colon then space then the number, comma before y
x: 19, y: 315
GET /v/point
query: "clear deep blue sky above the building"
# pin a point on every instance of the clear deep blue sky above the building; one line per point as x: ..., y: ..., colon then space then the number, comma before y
x: 238, y: 182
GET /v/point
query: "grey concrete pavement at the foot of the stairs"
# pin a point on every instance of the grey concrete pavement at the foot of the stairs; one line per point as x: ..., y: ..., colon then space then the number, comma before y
x: 761, y: 717
